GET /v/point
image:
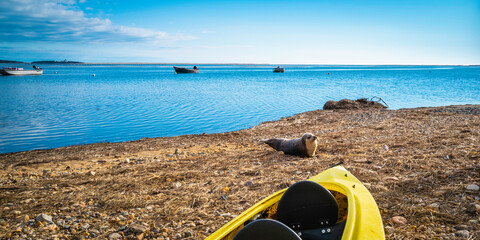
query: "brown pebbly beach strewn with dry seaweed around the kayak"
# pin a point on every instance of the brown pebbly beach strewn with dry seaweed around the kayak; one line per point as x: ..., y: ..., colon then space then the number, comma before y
x: 420, y: 164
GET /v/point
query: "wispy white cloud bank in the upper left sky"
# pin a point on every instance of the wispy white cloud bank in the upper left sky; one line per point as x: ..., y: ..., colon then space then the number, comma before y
x: 62, y: 20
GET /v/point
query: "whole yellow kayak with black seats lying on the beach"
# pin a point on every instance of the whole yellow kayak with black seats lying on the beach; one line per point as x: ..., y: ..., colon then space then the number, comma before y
x: 331, y: 205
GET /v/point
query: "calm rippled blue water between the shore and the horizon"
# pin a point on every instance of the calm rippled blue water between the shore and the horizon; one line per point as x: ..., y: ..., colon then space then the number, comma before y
x: 68, y: 106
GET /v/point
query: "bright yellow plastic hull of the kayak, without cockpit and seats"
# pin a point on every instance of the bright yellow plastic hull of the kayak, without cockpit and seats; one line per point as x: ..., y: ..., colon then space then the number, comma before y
x: 363, y: 220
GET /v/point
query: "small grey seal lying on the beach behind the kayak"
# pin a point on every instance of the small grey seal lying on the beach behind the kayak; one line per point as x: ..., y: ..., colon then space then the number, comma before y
x: 304, y: 146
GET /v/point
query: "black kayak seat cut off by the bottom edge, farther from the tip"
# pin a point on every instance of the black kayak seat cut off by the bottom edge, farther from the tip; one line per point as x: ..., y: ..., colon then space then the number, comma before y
x: 266, y: 229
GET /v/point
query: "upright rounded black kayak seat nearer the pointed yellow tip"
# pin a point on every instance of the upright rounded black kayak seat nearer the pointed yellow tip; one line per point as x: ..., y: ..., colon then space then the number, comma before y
x: 307, y: 207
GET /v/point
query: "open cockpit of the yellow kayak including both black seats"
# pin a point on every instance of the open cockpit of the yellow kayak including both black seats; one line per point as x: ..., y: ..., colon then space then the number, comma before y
x: 306, y: 208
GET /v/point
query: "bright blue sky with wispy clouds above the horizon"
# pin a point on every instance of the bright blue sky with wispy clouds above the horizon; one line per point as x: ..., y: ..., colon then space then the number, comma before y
x: 276, y: 32
